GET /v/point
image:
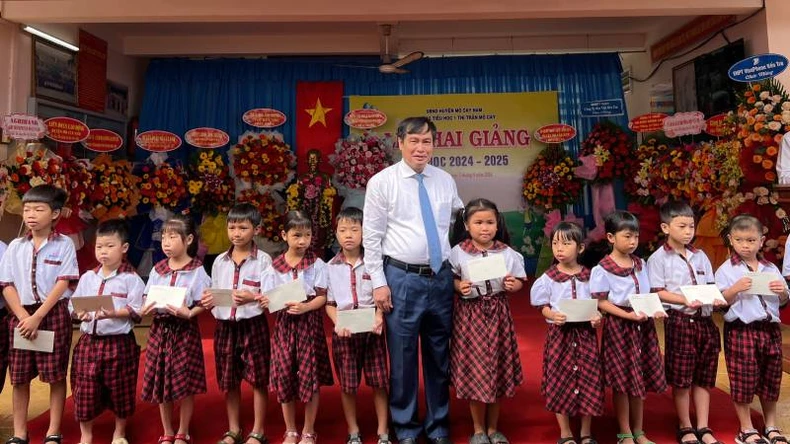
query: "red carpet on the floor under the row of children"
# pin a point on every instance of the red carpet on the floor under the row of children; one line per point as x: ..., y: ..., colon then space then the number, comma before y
x: 524, y: 419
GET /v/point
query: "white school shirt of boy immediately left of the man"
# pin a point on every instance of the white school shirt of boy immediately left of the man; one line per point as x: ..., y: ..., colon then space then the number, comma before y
x: 348, y: 286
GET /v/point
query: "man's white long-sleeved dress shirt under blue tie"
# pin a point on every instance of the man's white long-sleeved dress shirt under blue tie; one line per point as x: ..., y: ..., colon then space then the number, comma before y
x: 392, y: 224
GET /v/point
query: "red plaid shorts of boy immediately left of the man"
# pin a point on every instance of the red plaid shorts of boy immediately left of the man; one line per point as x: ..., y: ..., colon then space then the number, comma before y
x: 361, y: 352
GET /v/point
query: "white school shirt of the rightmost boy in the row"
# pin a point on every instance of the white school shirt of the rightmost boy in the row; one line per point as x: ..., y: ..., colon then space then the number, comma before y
x: 748, y: 307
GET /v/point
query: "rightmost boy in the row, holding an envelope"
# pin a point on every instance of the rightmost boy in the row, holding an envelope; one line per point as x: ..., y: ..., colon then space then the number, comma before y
x: 752, y: 338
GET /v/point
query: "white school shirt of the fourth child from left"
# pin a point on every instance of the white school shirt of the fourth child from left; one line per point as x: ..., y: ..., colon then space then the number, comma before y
x: 226, y: 274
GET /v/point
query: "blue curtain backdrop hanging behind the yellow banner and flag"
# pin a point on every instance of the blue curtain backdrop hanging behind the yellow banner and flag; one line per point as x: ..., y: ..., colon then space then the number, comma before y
x: 181, y: 94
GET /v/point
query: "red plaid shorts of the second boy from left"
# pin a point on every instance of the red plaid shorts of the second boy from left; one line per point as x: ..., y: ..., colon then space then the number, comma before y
x: 104, y: 375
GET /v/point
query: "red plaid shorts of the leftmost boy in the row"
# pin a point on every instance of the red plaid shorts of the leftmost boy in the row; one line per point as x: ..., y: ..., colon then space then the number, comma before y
x: 25, y: 365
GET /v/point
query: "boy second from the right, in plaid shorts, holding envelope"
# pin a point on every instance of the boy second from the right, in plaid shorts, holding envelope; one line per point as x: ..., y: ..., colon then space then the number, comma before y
x: 692, y: 343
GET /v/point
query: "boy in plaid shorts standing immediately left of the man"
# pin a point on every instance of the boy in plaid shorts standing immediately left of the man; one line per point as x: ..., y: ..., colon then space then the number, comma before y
x: 349, y: 288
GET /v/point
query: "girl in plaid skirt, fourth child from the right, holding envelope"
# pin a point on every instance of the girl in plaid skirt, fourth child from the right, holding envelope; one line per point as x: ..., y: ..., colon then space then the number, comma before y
x: 578, y: 372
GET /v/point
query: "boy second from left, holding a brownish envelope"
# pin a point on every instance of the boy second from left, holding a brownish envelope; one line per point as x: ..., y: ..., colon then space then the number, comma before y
x: 106, y: 357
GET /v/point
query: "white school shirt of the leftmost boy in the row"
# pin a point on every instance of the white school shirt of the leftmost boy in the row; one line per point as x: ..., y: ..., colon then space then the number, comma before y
x: 35, y: 272
